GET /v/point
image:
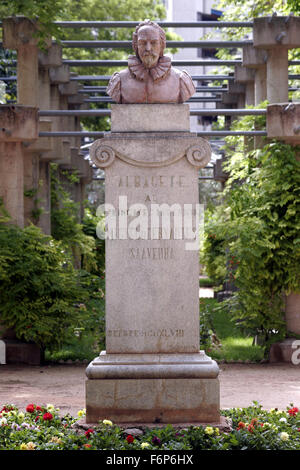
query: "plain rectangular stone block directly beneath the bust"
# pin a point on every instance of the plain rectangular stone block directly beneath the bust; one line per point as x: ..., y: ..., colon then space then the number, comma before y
x: 150, y: 118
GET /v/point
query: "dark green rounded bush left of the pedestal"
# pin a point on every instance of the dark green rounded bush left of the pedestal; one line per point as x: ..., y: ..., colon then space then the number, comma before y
x: 39, y: 287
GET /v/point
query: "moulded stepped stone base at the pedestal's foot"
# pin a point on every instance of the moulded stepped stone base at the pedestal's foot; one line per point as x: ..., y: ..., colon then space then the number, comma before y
x: 153, y: 388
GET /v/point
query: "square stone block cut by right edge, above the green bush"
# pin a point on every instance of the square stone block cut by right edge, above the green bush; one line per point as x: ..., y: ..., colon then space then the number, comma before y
x: 283, y: 122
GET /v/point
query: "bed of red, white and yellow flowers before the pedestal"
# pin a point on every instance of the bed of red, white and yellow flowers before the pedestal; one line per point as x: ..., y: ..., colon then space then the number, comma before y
x: 42, y: 428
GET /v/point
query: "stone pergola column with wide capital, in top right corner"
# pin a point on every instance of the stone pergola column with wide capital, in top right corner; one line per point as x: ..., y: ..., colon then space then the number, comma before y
x: 277, y: 35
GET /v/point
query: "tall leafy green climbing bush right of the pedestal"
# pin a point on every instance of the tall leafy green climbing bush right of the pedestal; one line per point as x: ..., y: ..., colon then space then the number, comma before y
x: 252, y: 239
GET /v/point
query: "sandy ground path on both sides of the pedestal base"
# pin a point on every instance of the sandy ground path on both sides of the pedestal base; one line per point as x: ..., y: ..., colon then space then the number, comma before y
x: 272, y: 385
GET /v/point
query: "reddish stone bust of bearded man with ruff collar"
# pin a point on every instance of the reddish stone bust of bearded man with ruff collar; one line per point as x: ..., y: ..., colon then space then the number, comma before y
x: 150, y: 78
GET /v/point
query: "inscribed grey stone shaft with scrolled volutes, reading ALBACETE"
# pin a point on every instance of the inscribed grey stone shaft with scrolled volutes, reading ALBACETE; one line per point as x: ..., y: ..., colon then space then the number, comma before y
x: 146, y: 311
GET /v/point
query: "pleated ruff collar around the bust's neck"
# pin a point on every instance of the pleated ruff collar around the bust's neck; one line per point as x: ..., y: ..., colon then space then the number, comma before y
x: 140, y: 72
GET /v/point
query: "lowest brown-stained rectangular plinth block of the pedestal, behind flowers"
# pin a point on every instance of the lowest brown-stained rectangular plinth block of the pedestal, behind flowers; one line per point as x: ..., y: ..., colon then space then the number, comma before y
x: 153, y: 400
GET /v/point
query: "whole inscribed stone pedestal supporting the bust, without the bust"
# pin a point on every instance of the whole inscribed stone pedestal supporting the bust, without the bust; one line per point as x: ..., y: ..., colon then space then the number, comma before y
x: 152, y: 369
